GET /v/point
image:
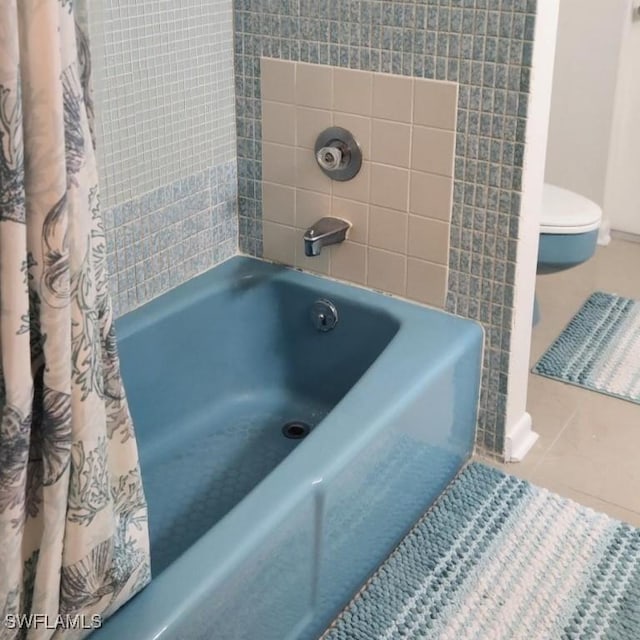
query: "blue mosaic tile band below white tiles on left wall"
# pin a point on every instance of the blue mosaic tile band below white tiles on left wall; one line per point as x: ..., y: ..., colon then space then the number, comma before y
x: 165, y: 237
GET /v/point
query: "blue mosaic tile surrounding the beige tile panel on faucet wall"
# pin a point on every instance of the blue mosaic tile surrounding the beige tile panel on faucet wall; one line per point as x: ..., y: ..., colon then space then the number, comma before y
x: 484, y: 45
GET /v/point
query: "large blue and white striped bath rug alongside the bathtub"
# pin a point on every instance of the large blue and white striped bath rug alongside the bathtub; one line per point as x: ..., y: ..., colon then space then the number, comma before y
x: 496, y: 558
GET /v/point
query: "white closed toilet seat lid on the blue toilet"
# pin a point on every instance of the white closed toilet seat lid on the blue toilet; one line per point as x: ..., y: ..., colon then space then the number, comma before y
x: 567, y: 212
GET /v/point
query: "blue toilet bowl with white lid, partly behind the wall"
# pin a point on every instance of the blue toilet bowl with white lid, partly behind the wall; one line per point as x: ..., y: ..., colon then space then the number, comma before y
x: 568, y: 230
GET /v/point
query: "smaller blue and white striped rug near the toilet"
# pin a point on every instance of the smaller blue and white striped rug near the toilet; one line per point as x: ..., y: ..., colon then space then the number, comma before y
x: 599, y: 349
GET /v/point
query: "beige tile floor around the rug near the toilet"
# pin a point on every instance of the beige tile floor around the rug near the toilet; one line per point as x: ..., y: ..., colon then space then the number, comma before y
x: 589, y: 445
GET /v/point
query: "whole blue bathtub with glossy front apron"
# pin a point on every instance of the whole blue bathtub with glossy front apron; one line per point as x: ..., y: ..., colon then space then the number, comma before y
x: 258, y: 536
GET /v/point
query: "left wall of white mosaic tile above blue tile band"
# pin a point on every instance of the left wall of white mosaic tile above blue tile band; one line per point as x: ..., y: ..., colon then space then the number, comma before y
x: 164, y: 97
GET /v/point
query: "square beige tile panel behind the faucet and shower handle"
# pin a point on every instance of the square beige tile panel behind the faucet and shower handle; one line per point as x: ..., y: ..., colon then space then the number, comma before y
x: 399, y: 204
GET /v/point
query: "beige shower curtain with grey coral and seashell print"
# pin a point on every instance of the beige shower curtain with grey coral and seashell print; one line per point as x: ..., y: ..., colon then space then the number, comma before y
x: 73, y: 518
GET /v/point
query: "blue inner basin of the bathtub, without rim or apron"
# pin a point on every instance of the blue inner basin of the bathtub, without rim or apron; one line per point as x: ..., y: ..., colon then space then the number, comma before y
x: 213, y: 379
